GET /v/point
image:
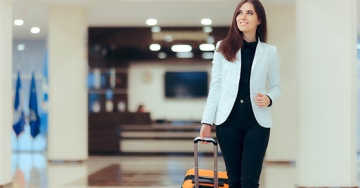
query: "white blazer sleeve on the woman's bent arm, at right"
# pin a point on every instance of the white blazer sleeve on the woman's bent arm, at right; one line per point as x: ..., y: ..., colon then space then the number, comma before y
x: 274, y: 87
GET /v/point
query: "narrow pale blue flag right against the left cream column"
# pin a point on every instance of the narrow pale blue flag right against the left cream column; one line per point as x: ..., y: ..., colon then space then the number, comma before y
x: 44, y: 114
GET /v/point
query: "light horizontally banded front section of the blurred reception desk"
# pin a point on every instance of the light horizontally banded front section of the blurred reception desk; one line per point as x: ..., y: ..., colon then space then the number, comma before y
x: 160, y: 138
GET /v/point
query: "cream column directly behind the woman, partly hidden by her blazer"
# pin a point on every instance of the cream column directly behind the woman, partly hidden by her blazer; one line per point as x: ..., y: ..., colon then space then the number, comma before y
x: 283, y: 144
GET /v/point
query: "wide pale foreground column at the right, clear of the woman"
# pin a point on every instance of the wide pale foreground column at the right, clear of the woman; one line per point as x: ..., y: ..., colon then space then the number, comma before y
x: 326, y: 54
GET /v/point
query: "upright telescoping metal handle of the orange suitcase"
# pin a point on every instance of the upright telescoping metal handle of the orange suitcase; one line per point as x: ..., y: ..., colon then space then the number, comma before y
x: 214, y: 142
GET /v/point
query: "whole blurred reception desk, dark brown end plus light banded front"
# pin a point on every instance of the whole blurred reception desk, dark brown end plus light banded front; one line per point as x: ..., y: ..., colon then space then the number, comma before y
x: 134, y: 133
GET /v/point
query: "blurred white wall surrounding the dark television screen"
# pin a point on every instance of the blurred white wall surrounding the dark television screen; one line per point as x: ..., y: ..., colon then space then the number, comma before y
x: 151, y: 93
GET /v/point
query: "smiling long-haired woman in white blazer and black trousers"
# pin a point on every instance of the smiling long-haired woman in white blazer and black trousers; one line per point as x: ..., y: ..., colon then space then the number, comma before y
x: 245, y: 82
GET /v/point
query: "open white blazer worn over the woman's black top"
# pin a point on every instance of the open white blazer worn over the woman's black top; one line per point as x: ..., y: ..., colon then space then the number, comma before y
x: 225, y: 76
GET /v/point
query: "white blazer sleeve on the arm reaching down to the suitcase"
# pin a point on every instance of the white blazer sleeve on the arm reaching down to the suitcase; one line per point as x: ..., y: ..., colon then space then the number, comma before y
x: 214, y: 89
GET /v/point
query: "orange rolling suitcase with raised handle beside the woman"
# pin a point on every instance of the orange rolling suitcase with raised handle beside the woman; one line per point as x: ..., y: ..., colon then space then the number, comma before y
x: 203, y: 178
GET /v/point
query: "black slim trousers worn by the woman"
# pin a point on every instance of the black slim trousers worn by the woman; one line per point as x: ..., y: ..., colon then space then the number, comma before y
x: 243, y: 143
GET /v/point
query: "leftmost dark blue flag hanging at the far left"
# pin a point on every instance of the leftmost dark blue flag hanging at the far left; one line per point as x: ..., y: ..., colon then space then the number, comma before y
x: 19, y: 118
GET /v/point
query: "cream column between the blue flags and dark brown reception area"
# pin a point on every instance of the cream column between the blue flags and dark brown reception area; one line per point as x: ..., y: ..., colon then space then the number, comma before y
x: 67, y: 139
